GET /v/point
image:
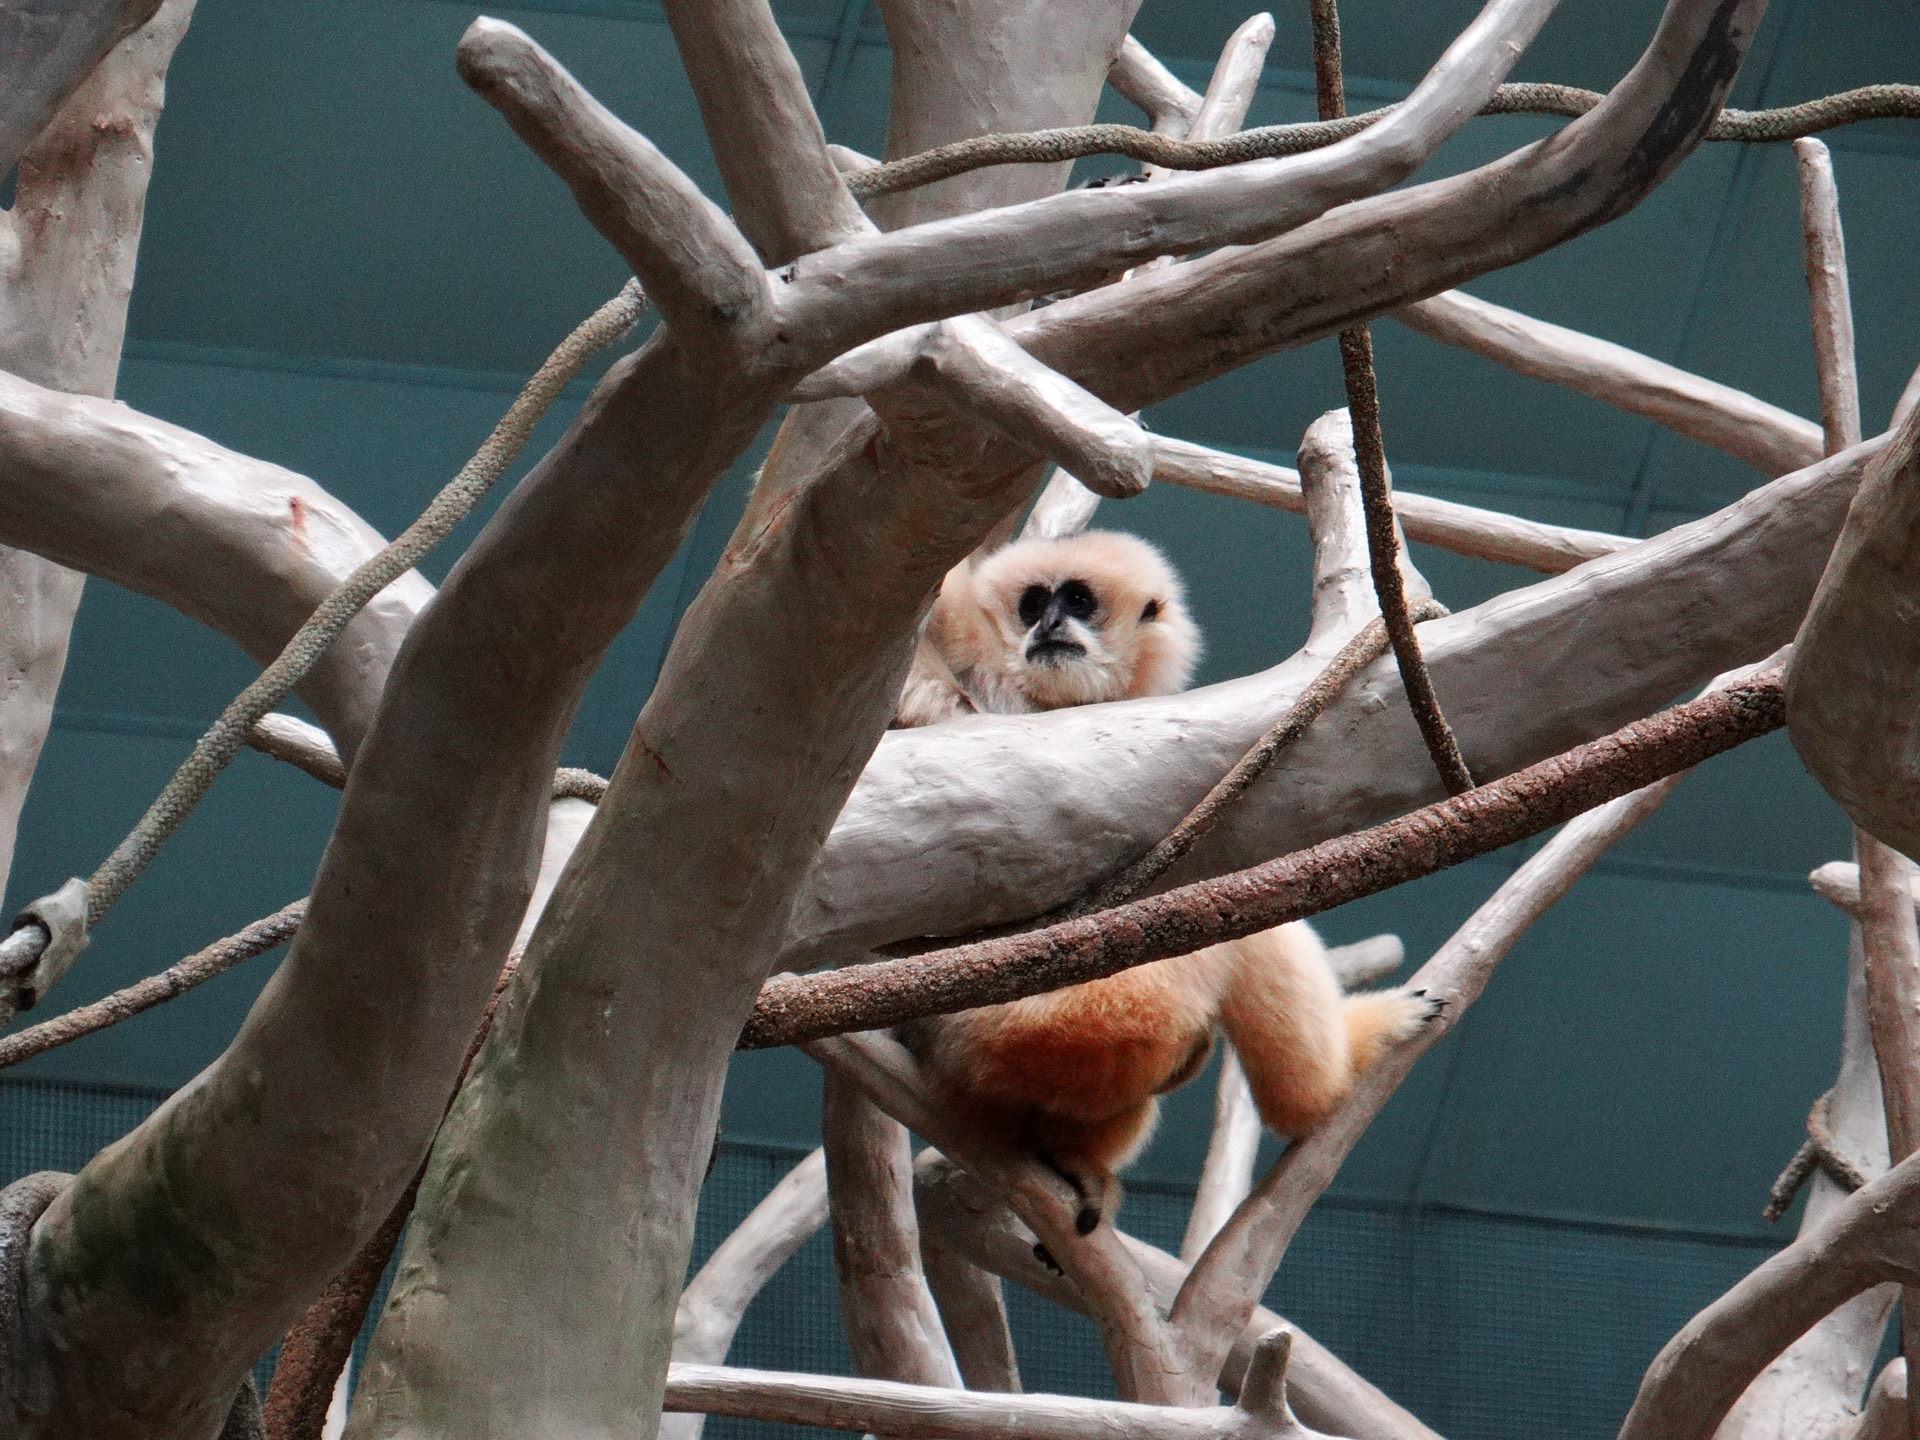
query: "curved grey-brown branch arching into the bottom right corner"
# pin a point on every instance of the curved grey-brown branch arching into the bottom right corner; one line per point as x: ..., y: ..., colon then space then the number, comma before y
x: 1700, y: 1374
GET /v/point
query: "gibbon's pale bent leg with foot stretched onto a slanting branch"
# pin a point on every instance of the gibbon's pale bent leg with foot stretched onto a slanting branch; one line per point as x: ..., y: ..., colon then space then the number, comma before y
x: 1303, y: 1042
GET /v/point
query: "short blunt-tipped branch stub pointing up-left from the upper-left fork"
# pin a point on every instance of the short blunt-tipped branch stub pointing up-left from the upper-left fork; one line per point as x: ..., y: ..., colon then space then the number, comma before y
x: 688, y: 258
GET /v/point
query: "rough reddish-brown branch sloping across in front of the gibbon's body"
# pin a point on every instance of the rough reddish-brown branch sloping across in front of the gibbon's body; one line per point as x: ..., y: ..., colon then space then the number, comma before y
x: 1293, y: 888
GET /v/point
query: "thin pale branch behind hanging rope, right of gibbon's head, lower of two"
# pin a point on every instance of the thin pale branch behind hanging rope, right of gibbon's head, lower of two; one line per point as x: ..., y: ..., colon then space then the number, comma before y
x: 1443, y: 523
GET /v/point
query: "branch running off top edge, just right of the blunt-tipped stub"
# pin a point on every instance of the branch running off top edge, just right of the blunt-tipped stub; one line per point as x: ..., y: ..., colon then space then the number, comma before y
x: 788, y: 195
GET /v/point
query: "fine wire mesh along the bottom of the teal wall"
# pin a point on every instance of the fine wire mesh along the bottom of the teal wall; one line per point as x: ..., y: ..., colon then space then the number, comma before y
x: 1489, y: 1328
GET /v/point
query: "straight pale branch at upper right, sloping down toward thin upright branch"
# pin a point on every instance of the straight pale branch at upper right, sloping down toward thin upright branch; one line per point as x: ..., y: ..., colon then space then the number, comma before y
x: 1765, y: 437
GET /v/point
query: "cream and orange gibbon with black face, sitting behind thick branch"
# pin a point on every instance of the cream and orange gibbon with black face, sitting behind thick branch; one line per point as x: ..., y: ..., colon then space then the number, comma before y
x: 1074, y: 1076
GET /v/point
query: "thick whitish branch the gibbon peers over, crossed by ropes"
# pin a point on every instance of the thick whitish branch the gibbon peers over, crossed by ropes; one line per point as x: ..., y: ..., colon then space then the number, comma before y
x: 996, y: 819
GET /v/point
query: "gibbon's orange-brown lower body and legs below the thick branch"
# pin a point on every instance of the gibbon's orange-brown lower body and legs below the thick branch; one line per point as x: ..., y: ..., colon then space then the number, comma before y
x: 1074, y: 1074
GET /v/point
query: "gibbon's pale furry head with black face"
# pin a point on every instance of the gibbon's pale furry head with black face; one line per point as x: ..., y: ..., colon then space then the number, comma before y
x: 1095, y: 617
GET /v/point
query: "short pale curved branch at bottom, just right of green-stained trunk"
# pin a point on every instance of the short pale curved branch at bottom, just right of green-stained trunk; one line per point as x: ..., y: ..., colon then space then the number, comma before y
x: 715, y: 1301
